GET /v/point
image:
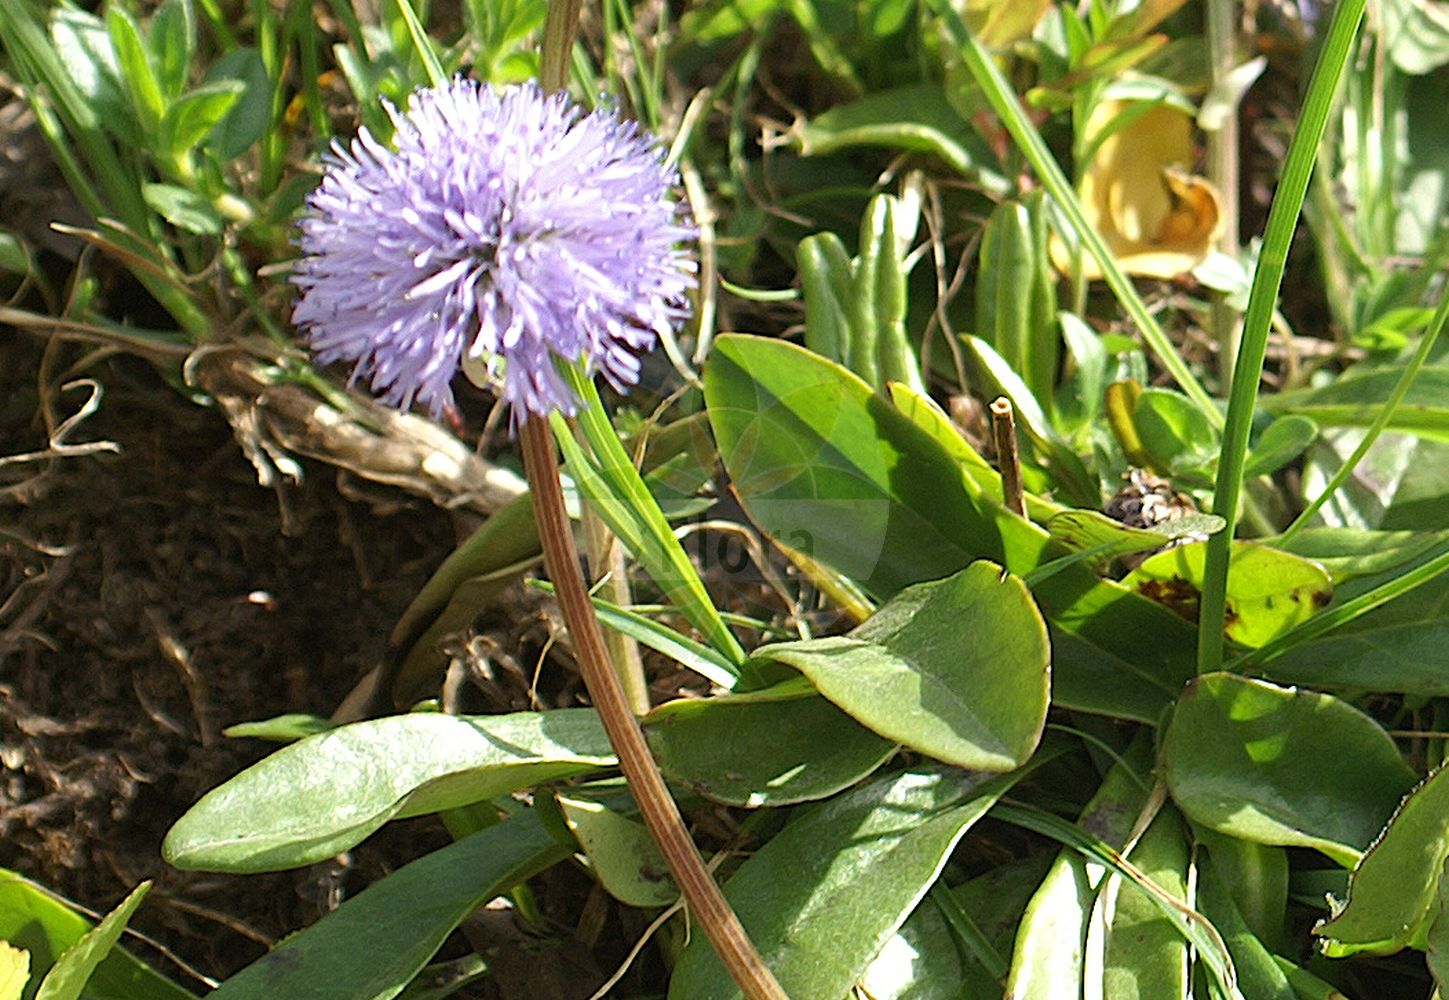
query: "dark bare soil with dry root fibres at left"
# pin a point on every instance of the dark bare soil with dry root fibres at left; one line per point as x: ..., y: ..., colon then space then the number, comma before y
x: 149, y: 599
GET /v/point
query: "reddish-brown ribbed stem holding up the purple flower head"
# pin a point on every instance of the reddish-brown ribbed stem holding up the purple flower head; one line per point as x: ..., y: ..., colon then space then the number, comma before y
x: 706, y: 902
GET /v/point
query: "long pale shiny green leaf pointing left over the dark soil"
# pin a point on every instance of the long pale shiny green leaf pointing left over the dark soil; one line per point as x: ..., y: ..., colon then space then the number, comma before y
x: 327, y: 793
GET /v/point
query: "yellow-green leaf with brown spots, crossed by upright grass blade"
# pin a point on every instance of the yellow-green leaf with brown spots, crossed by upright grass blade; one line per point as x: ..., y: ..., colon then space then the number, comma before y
x: 1269, y: 592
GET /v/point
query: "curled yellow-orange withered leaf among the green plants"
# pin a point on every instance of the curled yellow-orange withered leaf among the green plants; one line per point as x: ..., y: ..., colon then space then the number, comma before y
x: 1157, y: 220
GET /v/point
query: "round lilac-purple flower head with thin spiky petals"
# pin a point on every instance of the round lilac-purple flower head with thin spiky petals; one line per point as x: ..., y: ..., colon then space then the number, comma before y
x: 506, y: 228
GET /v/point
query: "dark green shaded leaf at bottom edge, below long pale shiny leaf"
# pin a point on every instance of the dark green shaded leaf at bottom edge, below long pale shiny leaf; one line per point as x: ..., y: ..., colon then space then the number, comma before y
x: 377, y: 941
